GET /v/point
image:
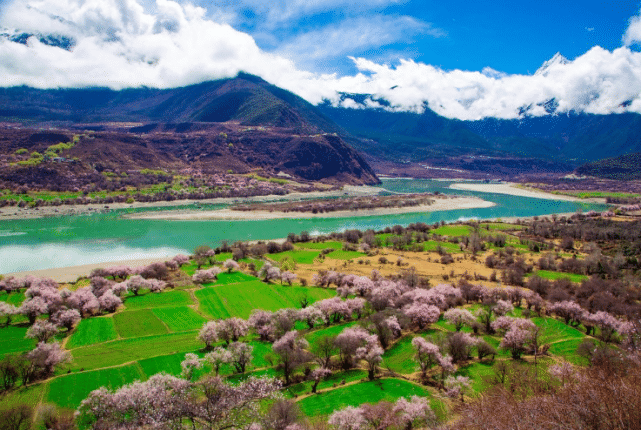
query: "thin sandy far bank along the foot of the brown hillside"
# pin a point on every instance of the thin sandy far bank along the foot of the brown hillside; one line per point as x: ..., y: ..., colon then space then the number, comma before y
x: 71, y: 210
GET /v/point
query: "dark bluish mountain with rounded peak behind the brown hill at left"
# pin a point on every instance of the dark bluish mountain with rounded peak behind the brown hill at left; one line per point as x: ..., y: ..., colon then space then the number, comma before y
x: 246, y: 98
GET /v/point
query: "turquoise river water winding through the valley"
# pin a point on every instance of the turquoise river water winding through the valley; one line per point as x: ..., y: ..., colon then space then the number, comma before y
x: 69, y: 241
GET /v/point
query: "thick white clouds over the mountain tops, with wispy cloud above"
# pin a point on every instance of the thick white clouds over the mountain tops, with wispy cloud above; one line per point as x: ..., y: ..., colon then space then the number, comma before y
x: 118, y: 44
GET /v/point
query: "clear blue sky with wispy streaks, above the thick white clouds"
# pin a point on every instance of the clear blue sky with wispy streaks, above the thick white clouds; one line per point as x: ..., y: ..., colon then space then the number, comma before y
x: 509, y: 36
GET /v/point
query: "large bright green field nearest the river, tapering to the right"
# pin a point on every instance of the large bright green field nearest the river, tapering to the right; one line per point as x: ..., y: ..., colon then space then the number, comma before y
x: 224, y: 301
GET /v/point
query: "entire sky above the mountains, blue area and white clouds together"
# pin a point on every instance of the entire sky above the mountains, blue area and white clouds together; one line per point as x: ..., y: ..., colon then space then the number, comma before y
x: 465, y: 60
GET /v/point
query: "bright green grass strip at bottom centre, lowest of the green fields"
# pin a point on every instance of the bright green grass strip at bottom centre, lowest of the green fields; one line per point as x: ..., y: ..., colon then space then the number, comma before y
x: 357, y: 394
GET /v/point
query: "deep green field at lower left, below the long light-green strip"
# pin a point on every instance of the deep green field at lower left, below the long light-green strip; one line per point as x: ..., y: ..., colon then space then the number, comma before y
x: 69, y: 390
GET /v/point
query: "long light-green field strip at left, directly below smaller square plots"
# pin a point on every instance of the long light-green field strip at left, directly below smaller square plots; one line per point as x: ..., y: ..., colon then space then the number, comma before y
x: 127, y: 350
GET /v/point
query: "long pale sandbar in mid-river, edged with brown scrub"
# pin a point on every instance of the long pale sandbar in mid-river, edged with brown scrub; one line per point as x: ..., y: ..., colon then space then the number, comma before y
x: 441, y: 204
